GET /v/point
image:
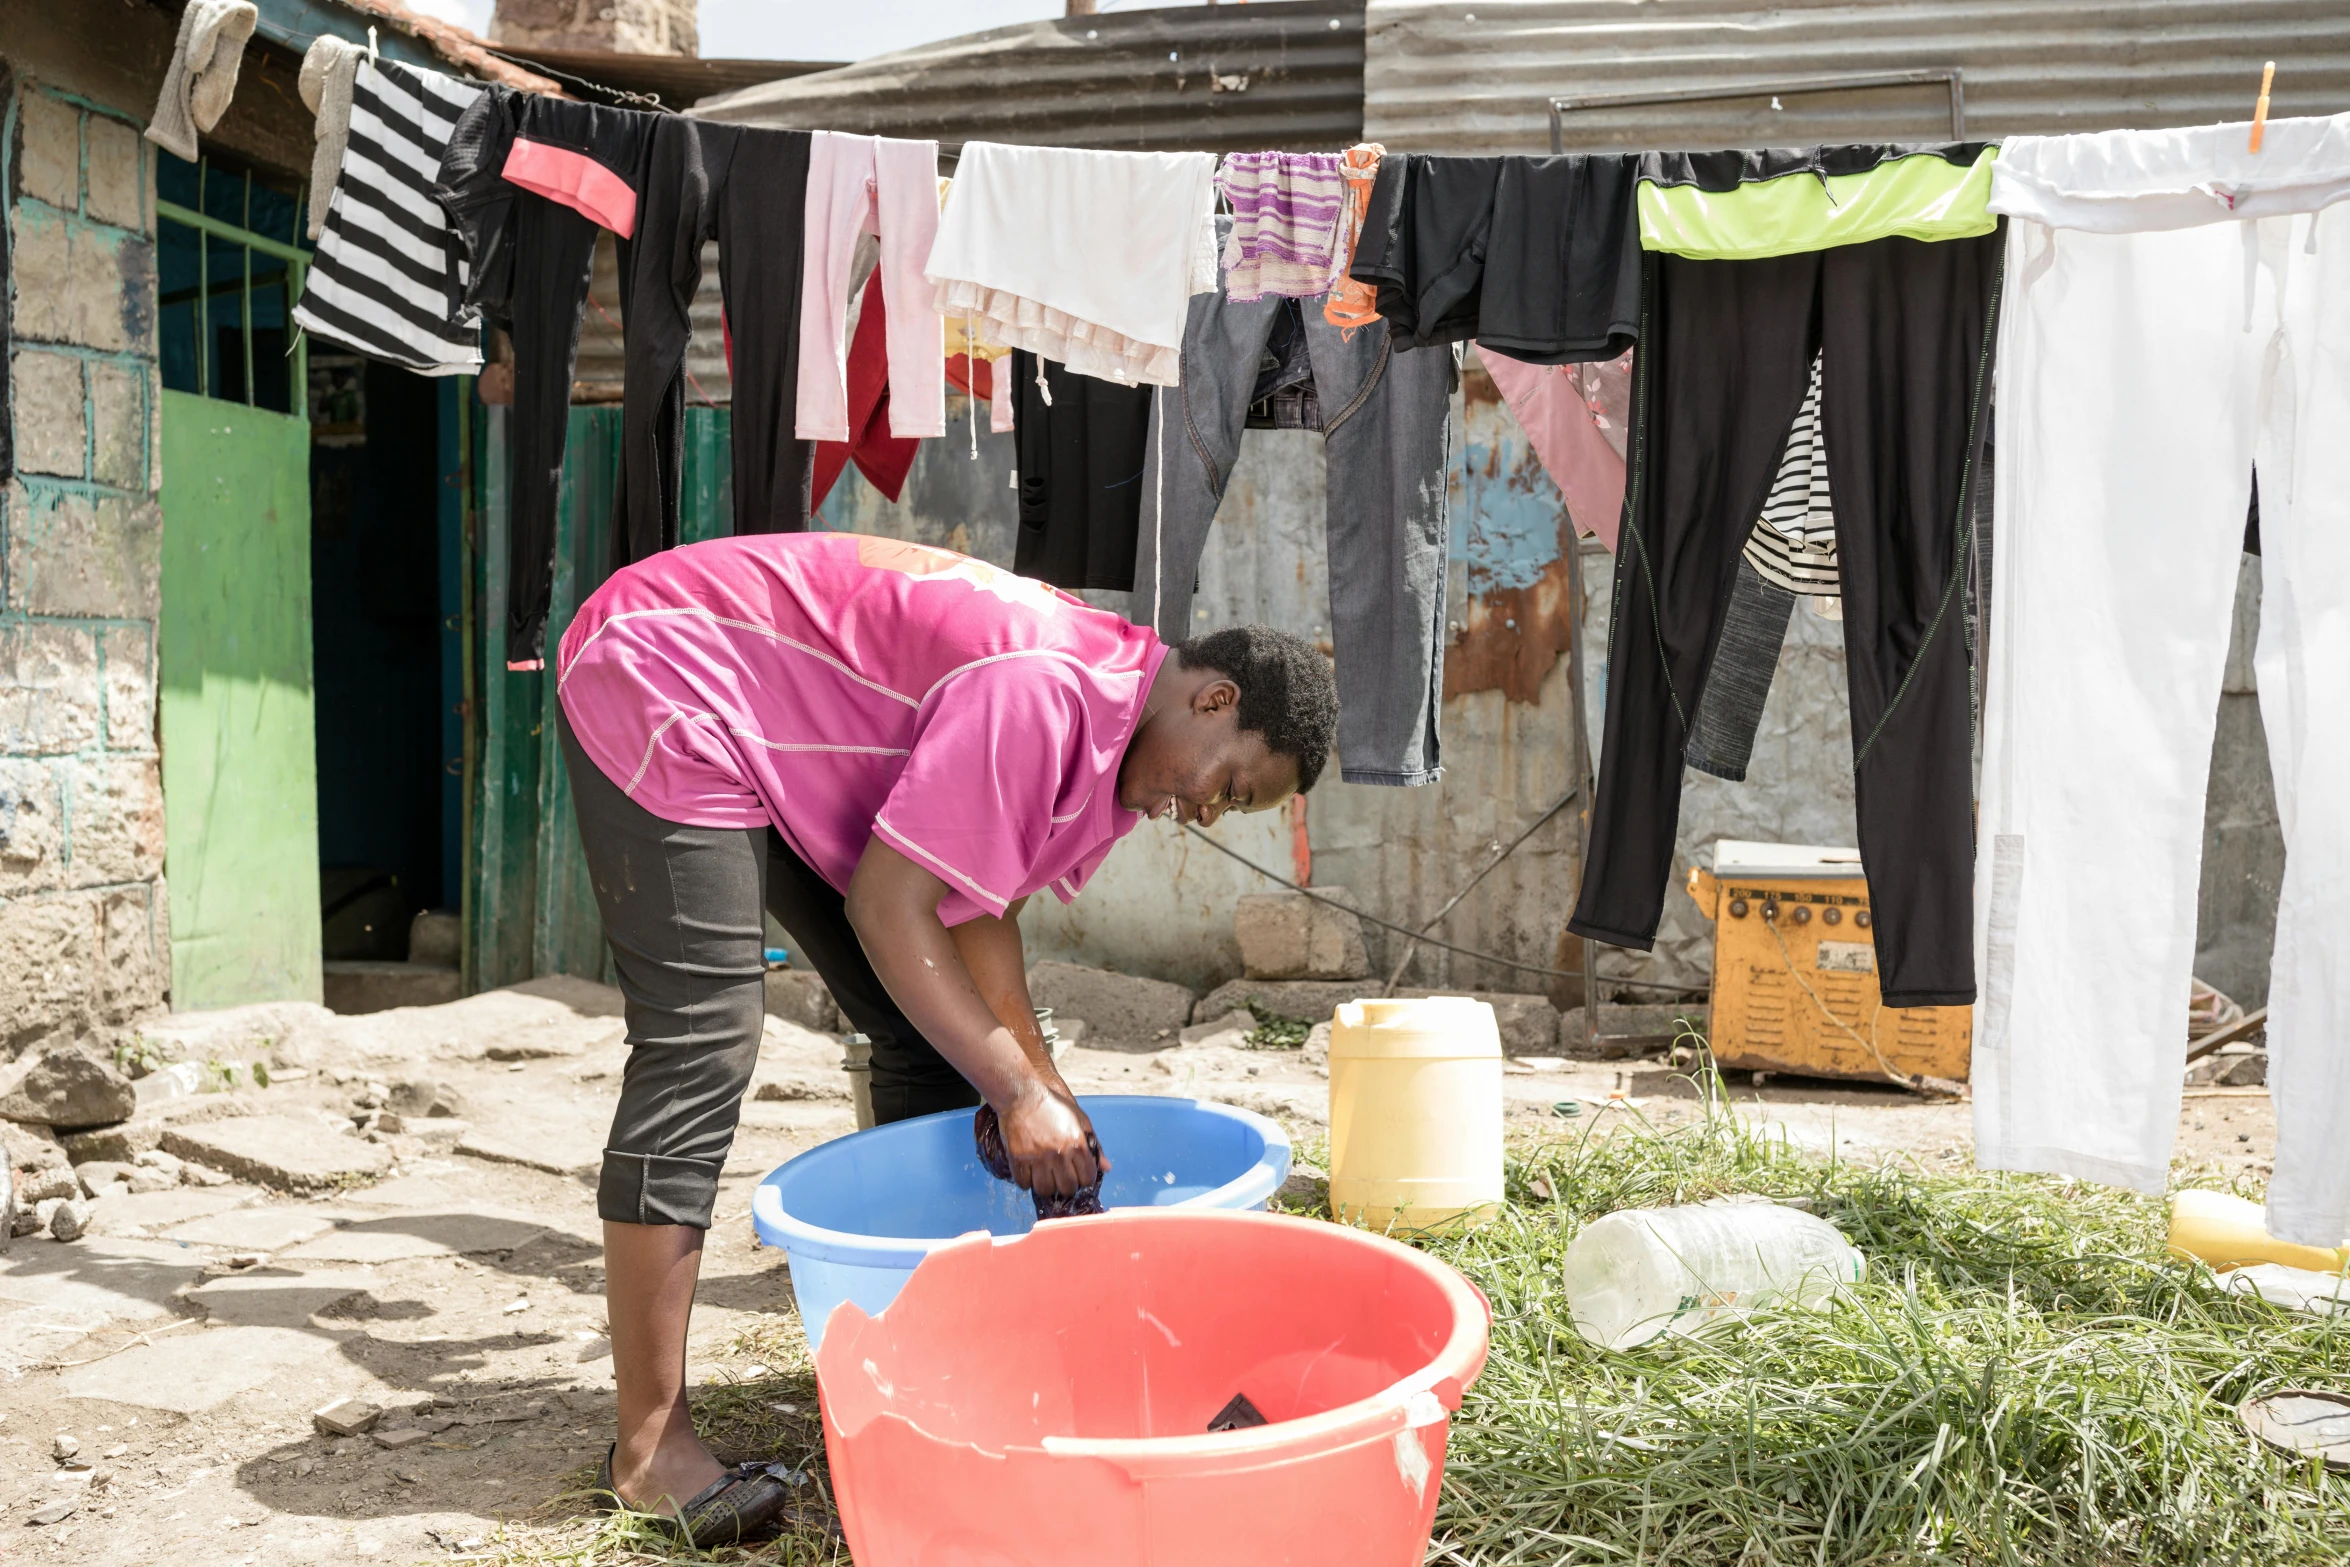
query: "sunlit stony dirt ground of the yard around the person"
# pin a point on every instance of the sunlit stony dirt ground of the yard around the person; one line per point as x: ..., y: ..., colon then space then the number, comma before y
x: 189, y: 1340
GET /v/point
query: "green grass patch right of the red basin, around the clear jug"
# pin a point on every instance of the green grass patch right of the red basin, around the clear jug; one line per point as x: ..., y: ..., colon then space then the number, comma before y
x: 2022, y: 1378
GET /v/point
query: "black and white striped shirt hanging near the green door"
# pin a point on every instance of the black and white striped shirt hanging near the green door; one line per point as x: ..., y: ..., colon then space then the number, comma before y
x: 387, y: 278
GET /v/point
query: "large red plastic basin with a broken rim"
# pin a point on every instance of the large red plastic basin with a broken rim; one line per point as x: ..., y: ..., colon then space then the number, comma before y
x: 1045, y: 1401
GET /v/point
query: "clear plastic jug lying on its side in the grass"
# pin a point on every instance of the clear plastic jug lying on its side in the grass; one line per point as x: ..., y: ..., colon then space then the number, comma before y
x: 1644, y: 1272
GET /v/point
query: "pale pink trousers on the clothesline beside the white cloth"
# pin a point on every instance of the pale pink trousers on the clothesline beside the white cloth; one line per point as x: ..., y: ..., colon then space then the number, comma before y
x: 889, y: 189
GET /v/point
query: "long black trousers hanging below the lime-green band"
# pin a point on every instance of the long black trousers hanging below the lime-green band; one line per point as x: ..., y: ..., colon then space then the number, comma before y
x: 1905, y: 330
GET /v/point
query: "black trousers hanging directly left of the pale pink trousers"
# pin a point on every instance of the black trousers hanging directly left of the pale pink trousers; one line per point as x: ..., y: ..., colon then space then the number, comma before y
x: 746, y: 189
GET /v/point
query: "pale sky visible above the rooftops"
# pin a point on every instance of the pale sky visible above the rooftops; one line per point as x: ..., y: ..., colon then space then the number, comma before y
x: 824, y: 29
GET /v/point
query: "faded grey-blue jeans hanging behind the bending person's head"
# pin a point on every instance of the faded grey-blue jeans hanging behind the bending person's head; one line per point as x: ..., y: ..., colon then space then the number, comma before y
x: 1388, y: 455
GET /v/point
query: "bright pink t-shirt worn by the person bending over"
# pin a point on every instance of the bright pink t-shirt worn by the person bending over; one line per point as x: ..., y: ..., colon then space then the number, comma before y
x: 845, y: 687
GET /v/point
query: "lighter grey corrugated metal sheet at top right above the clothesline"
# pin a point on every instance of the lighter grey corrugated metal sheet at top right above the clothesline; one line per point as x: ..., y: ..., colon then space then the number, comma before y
x: 1477, y: 76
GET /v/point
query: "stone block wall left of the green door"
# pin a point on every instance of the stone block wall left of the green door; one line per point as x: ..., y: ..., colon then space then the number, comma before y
x: 83, y: 922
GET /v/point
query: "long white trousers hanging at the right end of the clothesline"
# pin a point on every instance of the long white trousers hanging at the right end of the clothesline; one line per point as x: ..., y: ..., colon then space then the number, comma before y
x: 2177, y: 314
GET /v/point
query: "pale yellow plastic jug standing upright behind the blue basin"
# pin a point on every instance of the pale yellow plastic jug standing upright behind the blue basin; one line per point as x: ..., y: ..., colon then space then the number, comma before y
x: 1416, y: 1112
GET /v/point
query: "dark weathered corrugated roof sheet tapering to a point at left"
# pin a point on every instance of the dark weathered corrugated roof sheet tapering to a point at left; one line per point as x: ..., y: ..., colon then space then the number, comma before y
x: 1181, y: 79
